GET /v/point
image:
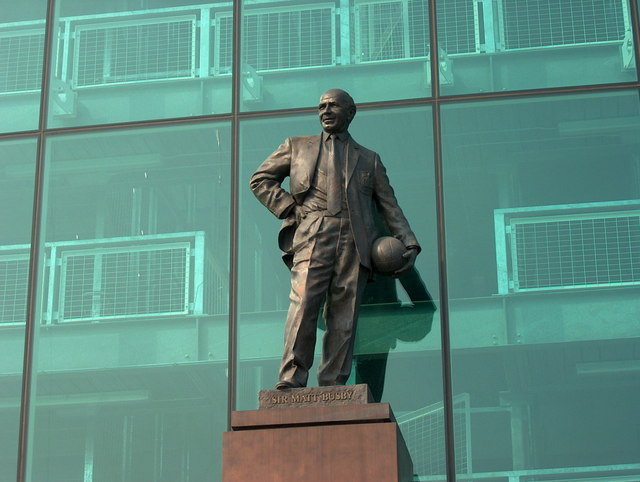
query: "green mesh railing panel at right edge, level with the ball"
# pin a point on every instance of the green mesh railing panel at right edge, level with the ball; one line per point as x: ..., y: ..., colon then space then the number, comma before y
x: 565, y: 252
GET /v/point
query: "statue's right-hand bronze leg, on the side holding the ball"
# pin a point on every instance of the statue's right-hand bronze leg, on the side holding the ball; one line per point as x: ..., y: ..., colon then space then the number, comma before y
x: 341, y: 311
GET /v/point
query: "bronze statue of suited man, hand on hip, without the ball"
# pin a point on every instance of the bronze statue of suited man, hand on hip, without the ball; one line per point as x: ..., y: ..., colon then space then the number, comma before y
x: 326, y: 236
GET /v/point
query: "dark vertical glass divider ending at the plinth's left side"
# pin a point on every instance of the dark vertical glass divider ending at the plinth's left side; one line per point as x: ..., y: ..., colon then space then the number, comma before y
x: 235, y: 170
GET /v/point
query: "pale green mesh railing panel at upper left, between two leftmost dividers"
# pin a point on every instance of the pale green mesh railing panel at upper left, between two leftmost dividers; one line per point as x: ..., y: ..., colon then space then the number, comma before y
x: 135, y: 51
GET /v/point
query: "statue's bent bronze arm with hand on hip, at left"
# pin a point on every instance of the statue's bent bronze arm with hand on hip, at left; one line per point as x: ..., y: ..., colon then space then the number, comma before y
x: 266, y: 182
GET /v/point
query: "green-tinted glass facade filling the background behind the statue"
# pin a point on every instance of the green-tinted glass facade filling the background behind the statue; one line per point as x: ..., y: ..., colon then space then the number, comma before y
x: 158, y: 296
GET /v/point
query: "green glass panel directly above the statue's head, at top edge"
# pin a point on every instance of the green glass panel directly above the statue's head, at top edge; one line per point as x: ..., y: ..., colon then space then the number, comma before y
x: 375, y: 50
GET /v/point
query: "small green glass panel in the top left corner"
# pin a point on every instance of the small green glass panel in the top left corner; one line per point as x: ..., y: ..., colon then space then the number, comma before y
x: 22, y: 30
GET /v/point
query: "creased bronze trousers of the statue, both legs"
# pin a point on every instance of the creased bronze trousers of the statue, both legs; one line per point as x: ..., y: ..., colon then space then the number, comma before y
x: 326, y: 268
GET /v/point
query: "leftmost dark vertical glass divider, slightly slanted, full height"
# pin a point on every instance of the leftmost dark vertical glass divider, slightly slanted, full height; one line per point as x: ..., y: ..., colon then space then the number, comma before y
x: 31, y: 319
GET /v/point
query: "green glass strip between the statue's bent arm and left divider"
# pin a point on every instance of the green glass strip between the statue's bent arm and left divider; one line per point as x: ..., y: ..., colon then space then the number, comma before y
x: 263, y: 278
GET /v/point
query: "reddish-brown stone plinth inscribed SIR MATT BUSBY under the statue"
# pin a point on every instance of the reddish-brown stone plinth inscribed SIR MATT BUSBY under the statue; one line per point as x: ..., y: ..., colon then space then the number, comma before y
x: 298, y: 440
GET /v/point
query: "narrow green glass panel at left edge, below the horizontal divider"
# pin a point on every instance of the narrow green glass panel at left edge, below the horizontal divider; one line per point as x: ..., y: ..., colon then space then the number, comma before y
x: 17, y: 164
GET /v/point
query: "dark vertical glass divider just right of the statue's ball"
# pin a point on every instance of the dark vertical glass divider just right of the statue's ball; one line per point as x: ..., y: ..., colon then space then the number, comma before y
x: 447, y: 390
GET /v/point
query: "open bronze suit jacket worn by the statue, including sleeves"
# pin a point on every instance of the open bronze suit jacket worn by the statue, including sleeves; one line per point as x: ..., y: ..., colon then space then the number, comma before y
x: 367, y: 183
